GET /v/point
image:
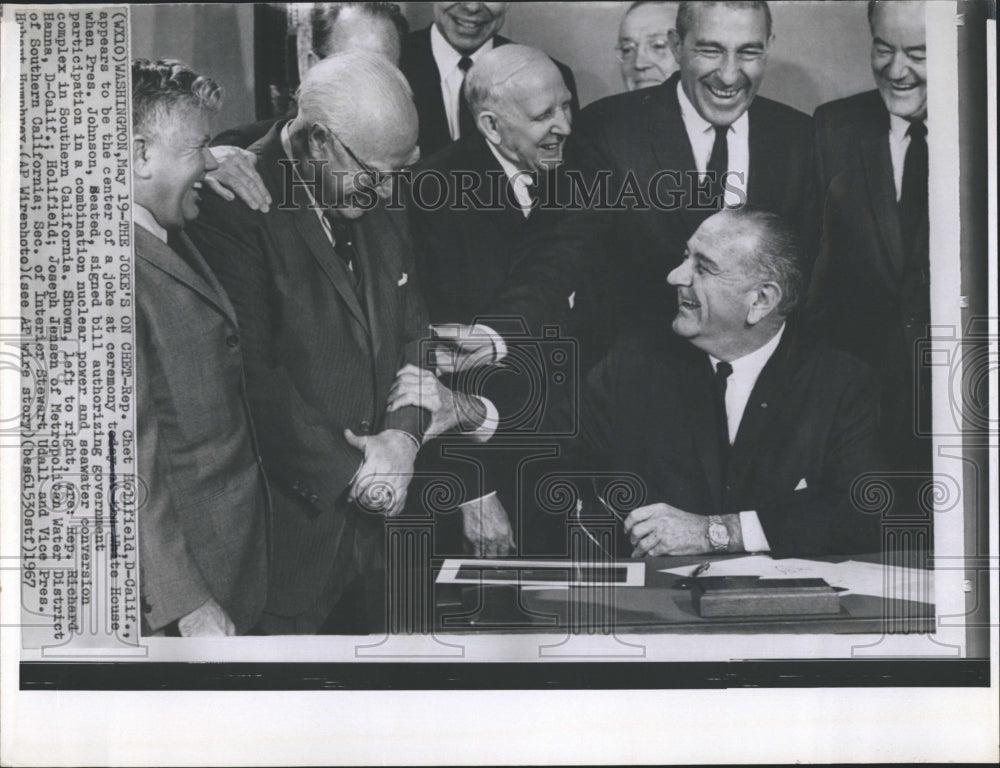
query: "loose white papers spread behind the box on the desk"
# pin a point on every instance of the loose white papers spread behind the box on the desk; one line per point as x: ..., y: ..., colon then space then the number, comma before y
x: 850, y: 576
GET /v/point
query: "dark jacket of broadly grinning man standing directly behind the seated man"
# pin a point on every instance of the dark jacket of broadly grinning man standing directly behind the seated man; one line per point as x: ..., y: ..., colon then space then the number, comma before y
x: 629, y: 138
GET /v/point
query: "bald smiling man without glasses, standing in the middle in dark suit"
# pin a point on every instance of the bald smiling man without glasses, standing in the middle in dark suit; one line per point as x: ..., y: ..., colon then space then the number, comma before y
x: 465, y: 249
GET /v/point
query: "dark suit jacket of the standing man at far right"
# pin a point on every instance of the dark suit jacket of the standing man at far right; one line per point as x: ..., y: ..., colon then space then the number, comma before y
x: 859, y: 300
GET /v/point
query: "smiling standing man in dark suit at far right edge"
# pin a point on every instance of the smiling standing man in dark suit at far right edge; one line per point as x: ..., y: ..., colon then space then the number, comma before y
x: 870, y: 294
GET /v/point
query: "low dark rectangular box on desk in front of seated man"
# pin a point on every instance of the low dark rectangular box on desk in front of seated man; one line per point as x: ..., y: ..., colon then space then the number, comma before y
x: 729, y: 596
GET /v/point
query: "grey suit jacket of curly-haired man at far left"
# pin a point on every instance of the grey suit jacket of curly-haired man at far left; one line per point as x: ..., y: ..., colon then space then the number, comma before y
x: 202, y: 528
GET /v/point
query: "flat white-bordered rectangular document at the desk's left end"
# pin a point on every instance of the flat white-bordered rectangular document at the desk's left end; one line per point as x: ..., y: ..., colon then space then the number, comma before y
x: 541, y: 573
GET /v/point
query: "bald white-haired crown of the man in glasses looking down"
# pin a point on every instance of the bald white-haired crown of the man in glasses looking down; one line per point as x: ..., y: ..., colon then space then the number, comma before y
x: 362, y: 98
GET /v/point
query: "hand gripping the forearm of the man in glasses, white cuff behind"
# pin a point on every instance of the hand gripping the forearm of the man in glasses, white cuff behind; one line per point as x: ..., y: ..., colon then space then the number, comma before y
x: 449, y: 410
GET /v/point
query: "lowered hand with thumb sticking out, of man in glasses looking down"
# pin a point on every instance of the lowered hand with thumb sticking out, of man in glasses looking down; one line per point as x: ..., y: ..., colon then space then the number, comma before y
x: 381, y: 482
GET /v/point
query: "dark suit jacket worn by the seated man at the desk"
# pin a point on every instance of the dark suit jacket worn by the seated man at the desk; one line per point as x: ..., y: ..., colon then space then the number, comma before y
x: 809, y: 429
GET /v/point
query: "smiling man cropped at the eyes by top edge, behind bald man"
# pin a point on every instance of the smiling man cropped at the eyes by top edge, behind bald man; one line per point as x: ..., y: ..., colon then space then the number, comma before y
x: 436, y: 59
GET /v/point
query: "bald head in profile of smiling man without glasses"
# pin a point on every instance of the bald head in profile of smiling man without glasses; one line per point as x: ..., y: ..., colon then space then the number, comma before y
x: 521, y: 105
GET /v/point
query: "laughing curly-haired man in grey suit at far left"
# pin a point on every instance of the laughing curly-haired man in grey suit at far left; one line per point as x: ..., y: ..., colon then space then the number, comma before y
x: 202, y: 528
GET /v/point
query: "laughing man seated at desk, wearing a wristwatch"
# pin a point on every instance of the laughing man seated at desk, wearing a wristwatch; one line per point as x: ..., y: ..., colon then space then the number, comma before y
x: 744, y: 438
